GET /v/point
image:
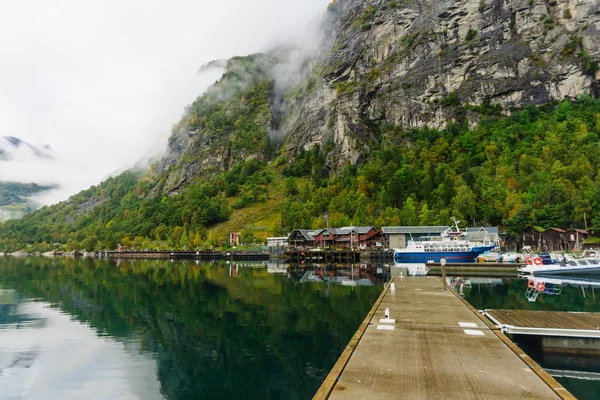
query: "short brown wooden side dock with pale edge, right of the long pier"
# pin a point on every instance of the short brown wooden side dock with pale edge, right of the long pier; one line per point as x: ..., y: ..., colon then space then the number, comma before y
x: 546, y: 323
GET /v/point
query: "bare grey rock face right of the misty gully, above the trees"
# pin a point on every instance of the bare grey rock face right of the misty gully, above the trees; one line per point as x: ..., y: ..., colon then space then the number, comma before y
x: 426, y: 62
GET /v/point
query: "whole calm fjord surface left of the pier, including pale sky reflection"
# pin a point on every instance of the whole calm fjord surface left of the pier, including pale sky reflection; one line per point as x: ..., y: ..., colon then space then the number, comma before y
x: 72, y: 329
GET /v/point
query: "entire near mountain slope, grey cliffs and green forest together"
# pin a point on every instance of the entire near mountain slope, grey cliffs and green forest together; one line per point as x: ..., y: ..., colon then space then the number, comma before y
x: 500, y: 131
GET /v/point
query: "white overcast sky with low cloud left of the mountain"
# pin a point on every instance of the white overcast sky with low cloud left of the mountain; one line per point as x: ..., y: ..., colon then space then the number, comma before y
x: 102, y: 82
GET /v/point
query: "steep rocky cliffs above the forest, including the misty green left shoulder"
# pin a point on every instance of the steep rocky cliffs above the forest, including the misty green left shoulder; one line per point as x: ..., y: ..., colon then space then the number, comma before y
x: 393, y: 65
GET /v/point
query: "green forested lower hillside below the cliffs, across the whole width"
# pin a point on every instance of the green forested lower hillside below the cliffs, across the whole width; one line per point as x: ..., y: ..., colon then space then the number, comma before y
x: 538, y: 166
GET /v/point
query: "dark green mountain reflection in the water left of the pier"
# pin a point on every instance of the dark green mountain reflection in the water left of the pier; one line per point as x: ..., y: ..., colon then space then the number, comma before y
x: 216, y: 330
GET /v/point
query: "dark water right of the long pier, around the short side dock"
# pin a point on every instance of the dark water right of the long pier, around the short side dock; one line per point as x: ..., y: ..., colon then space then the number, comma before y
x: 564, y: 294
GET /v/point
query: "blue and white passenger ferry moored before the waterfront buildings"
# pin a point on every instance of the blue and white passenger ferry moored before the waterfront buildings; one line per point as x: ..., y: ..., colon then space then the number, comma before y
x: 453, y: 246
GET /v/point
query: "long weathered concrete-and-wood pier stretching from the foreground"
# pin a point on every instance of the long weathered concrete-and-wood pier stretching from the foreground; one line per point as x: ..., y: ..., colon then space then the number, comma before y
x: 433, y: 346
